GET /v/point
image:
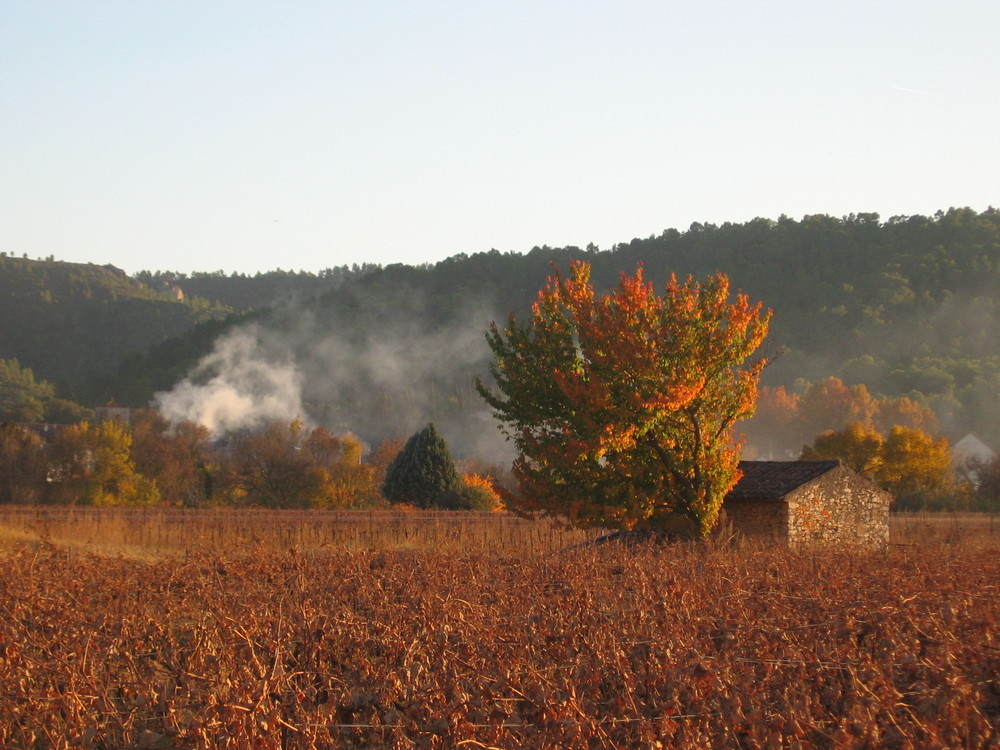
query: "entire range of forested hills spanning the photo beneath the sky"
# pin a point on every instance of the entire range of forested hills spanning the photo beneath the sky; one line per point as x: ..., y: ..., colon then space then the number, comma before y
x: 907, y: 306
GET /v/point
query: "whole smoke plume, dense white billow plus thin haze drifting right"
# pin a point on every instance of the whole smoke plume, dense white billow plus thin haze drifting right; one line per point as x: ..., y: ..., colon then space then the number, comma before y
x: 377, y: 381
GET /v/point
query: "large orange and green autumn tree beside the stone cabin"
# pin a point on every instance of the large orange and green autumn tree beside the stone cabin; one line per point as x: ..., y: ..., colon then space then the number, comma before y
x: 622, y: 406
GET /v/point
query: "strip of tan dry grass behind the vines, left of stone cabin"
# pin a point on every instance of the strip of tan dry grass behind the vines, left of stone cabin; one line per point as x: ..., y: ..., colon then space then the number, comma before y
x: 156, y: 533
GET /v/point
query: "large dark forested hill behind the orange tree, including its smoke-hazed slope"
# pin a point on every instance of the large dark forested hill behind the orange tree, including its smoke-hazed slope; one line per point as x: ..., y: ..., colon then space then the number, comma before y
x: 906, y: 306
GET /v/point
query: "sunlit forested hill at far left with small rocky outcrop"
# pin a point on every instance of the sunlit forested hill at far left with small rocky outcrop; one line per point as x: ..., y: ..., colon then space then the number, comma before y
x: 72, y: 322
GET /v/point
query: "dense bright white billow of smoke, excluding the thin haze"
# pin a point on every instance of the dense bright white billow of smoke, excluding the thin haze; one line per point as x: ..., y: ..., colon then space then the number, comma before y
x: 243, y: 383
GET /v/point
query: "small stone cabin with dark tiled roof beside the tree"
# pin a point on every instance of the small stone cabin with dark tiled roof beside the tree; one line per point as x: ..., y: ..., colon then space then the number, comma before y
x: 797, y: 502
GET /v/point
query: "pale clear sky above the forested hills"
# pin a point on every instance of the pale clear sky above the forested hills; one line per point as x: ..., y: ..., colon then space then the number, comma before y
x: 203, y: 135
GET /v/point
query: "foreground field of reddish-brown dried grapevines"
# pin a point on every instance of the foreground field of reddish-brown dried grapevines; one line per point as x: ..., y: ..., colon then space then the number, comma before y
x: 588, y: 647
